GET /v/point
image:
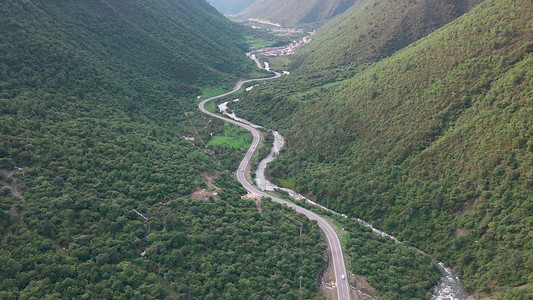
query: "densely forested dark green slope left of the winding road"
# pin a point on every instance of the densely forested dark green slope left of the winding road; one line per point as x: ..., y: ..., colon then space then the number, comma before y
x: 94, y: 99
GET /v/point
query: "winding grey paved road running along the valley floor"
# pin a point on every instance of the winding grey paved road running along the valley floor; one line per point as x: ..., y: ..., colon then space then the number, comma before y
x: 343, y: 288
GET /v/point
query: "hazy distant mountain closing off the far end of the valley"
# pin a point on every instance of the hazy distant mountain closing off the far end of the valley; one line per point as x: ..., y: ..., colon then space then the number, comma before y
x: 293, y: 12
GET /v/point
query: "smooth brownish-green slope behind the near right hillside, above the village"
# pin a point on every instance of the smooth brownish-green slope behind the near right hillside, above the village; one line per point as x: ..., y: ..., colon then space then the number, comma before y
x: 371, y: 30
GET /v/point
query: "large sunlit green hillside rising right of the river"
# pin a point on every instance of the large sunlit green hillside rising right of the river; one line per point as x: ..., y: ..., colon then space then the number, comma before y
x: 432, y: 144
